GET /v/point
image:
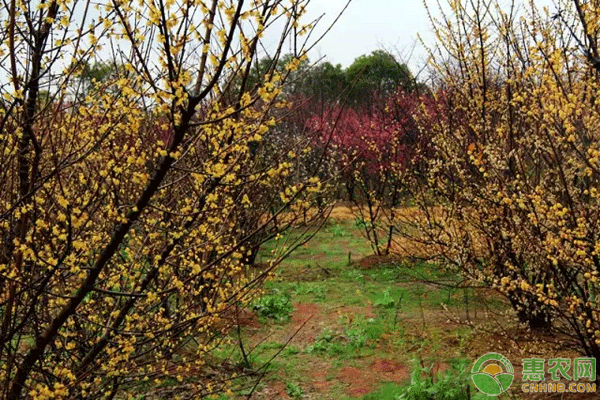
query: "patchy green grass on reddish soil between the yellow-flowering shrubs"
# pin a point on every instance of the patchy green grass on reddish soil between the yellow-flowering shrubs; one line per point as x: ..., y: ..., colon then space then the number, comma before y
x: 390, y: 312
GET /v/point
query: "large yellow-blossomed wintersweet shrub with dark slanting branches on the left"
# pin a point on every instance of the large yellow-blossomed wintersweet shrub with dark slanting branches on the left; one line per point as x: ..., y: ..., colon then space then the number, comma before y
x: 135, y: 190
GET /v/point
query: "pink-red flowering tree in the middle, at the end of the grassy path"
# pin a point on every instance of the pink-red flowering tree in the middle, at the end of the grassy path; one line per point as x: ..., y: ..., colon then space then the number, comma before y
x: 372, y: 146
